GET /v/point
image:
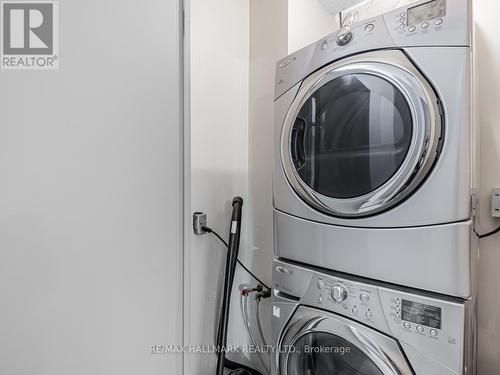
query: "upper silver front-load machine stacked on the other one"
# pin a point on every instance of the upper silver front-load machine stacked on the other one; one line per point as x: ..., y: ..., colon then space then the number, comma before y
x: 375, y: 150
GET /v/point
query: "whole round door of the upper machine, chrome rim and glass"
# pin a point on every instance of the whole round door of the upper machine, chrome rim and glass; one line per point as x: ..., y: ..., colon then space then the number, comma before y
x: 361, y: 135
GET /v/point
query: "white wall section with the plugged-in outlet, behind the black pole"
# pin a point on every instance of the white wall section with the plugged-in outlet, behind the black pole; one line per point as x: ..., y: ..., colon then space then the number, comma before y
x: 219, y: 94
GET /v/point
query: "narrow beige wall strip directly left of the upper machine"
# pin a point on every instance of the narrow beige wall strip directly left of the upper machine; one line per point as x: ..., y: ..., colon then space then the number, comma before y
x: 268, y: 40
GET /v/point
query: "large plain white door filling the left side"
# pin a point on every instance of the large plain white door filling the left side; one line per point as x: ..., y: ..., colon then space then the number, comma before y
x: 91, y: 196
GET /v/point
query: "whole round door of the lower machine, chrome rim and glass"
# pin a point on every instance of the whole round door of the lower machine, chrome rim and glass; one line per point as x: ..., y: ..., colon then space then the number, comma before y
x: 318, y: 343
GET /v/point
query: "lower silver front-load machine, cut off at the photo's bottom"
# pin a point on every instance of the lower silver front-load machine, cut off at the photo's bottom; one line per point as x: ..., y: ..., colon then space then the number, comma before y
x: 331, y: 323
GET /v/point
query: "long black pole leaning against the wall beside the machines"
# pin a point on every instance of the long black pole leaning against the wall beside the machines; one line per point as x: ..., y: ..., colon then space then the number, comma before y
x: 231, y: 260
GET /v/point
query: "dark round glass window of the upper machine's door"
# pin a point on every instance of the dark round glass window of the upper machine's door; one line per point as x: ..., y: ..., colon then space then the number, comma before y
x: 351, y: 135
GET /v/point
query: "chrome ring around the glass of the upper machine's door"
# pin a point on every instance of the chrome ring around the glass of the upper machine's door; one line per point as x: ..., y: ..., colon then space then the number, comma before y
x: 394, y: 67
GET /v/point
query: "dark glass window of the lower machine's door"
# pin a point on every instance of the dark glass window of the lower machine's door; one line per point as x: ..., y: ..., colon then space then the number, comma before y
x: 321, y: 353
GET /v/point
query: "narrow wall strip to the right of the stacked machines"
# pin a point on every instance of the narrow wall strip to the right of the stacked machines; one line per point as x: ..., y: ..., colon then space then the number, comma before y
x: 487, y: 50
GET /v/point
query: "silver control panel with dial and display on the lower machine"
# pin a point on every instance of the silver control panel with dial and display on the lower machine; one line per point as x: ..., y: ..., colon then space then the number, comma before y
x: 434, y: 325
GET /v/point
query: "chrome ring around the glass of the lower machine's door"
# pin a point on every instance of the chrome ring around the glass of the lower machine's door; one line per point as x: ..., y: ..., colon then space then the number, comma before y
x: 382, y: 350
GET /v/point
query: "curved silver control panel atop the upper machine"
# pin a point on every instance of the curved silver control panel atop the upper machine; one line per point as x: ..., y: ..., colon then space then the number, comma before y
x: 424, y: 23
